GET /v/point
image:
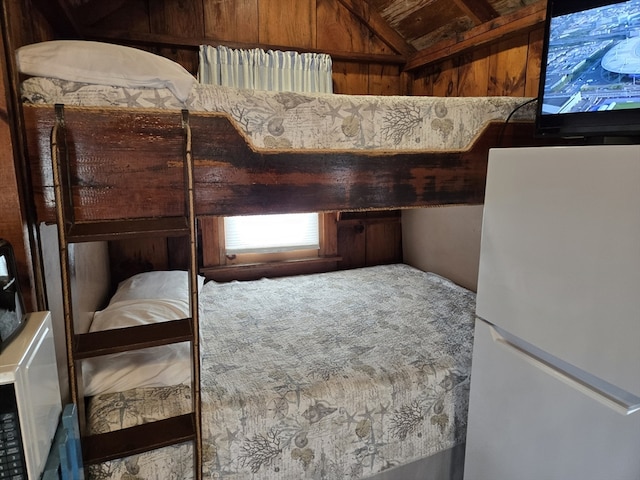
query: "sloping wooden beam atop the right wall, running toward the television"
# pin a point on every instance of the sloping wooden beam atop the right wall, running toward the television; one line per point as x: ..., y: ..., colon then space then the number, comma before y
x: 524, y: 19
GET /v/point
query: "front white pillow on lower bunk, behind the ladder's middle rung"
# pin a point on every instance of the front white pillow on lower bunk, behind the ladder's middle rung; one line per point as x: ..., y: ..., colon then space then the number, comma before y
x: 165, y: 365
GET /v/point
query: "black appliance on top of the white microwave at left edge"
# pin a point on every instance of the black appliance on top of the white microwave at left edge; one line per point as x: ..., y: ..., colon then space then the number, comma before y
x: 12, y: 313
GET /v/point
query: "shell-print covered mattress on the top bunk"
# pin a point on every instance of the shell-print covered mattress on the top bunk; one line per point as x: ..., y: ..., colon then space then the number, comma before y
x: 287, y: 120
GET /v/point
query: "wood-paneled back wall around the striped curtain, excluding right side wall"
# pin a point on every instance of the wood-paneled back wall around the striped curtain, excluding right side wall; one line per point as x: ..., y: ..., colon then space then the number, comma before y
x: 324, y: 25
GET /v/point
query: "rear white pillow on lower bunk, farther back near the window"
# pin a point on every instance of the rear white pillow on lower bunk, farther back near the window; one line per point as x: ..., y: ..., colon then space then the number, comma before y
x: 165, y: 284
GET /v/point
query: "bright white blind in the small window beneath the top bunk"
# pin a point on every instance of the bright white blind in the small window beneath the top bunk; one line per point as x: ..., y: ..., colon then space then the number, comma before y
x: 271, y: 233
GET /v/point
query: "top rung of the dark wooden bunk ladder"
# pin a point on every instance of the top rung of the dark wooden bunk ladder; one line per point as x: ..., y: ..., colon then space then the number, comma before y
x: 120, y: 229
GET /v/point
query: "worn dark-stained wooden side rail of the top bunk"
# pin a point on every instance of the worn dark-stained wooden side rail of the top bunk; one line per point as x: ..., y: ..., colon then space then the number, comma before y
x: 116, y: 155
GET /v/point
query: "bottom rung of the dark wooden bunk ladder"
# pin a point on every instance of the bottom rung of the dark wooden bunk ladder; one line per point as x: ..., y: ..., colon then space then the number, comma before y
x: 139, y: 439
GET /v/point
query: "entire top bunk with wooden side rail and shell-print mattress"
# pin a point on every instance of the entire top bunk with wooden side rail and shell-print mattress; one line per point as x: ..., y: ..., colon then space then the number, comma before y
x: 258, y: 152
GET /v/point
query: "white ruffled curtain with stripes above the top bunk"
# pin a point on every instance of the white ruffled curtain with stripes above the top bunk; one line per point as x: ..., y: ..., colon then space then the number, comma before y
x: 258, y: 69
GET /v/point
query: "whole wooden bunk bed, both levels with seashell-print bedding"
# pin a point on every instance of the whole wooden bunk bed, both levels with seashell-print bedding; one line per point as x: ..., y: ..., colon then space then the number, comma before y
x: 267, y: 152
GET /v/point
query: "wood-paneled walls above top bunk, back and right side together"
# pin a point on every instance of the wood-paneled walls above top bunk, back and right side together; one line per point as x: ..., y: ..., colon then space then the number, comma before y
x: 506, y: 67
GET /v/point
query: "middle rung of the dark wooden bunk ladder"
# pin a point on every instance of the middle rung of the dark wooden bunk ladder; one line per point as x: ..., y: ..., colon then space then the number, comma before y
x: 104, y: 342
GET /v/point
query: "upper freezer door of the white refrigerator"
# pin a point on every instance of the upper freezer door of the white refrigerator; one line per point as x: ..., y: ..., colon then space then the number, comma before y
x: 560, y: 259
